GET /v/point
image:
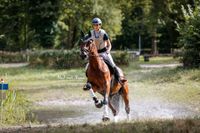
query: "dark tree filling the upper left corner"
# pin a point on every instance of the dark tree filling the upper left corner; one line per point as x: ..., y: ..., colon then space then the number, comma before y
x: 11, y: 25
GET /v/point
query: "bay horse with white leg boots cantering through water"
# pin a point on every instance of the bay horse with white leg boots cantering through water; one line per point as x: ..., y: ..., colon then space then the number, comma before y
x: 101, y: 80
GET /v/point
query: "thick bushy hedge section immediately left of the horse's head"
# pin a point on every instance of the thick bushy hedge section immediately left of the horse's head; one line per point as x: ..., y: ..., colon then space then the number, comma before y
x: 56, y: 58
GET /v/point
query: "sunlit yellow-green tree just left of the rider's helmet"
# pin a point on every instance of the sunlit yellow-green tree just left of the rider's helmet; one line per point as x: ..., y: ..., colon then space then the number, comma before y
x: 75, y: 16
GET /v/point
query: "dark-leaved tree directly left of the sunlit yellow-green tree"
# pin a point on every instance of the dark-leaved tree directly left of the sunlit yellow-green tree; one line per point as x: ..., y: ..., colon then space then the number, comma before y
x: 42, y: 20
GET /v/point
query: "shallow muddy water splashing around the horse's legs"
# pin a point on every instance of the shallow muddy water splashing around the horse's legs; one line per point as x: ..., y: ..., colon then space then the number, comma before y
x: 84, y: 111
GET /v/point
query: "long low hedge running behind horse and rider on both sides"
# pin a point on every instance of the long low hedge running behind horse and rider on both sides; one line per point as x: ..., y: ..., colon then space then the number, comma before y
x: 58, y: 58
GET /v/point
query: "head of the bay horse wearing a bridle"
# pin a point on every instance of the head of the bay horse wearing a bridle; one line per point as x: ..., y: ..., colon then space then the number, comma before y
x: 87, y: 47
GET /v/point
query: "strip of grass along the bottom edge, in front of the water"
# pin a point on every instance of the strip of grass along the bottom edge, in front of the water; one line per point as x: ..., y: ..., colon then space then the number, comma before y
x: 153, y: 126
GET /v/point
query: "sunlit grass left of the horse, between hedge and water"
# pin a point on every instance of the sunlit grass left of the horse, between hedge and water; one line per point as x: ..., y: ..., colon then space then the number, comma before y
x: 42, y: 80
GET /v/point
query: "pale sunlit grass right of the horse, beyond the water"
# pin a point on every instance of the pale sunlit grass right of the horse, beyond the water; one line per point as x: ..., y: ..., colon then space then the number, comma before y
x: 175, y: 85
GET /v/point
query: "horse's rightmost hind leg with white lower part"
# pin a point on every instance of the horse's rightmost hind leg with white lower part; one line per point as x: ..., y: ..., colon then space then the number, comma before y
x: 126, y: 100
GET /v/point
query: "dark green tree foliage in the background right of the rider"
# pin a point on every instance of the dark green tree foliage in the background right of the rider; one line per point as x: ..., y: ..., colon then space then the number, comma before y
x: 153, y: 21
